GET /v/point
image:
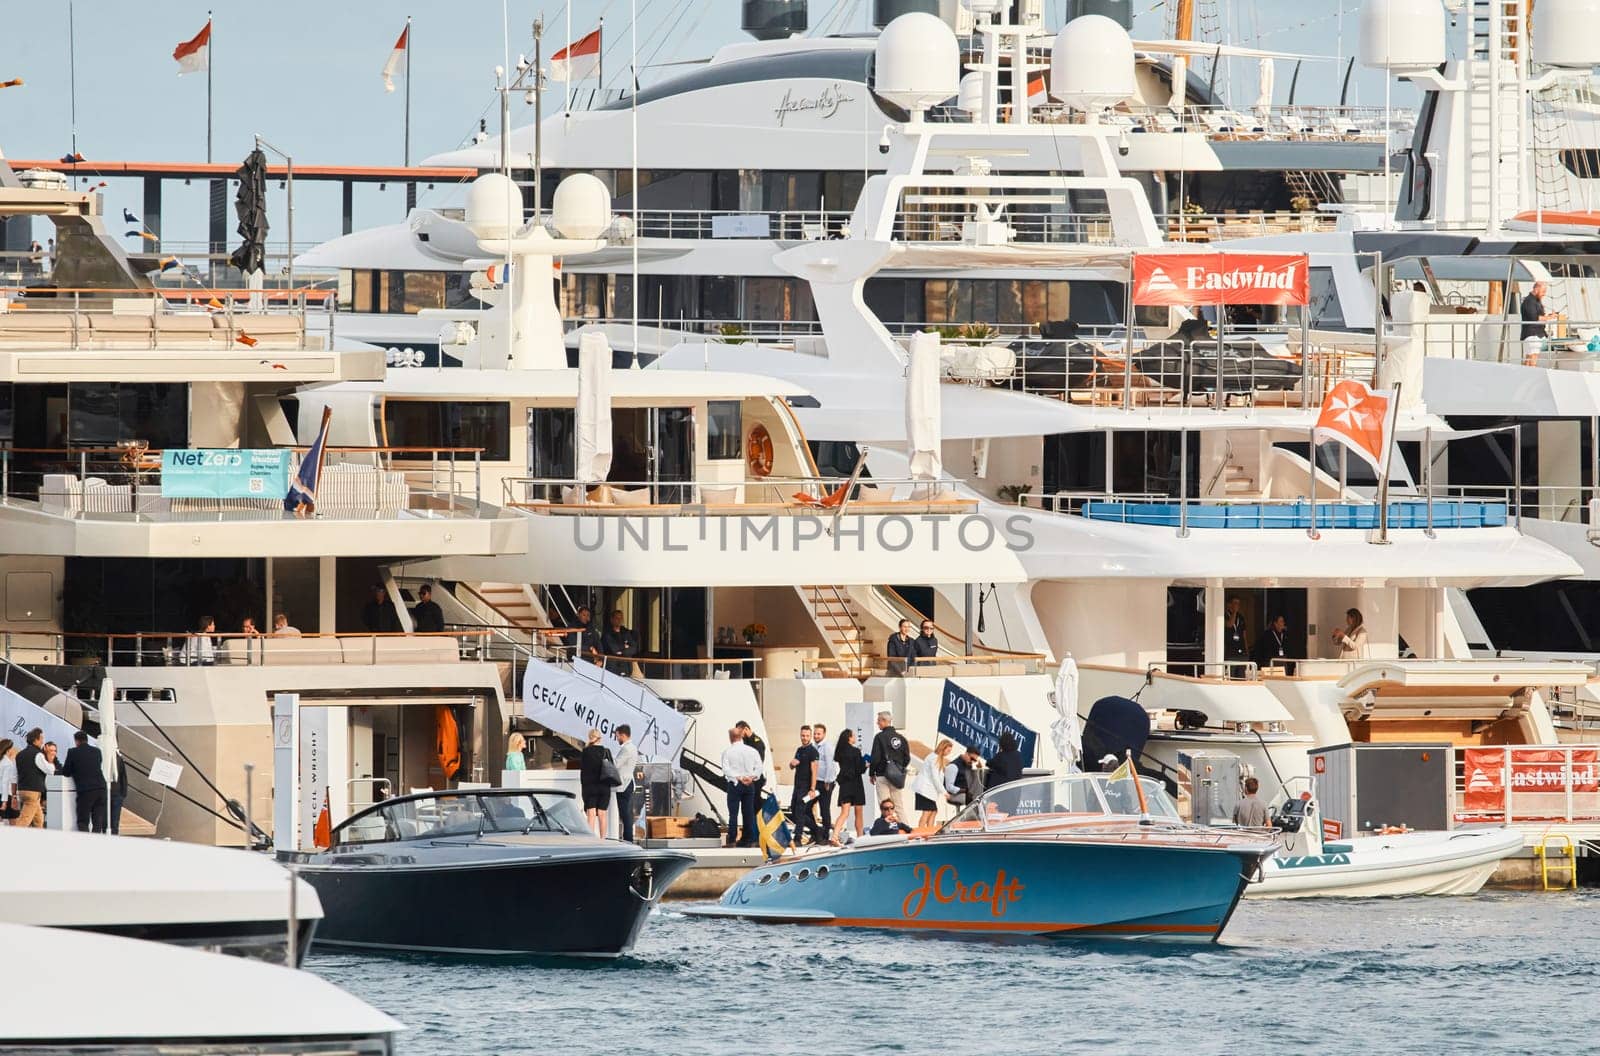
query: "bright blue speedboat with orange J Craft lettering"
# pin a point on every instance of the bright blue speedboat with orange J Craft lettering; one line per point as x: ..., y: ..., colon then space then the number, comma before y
x: 1050, y: 857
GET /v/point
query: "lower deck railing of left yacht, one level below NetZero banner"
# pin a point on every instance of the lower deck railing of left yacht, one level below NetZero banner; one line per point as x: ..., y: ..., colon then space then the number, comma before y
x: 247, y: 650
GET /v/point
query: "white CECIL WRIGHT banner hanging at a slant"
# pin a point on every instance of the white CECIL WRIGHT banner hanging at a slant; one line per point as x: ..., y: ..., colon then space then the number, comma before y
x: 578, y: 698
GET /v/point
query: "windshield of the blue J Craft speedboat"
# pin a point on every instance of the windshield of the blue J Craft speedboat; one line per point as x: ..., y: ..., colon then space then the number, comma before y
x: 1063, y: 801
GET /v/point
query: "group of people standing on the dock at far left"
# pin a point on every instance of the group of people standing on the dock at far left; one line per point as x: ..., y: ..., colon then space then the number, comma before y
x: 25, y: 772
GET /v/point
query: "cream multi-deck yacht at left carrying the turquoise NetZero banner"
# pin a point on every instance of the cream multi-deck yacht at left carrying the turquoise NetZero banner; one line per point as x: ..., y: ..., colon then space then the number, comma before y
x: 146, y: 558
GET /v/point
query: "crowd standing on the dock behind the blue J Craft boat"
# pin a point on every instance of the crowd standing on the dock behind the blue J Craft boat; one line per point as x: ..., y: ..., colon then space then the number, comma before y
x: 839, y: 774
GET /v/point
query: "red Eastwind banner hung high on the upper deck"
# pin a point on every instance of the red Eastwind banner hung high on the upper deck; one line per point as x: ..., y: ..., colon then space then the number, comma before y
x: 1220, y: 279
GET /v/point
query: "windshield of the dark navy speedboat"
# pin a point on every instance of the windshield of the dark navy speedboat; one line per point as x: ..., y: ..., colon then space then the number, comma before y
x: 463, y: 814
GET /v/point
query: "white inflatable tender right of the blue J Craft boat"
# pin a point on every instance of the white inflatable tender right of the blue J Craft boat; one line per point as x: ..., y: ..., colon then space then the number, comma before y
x: 1390, y: 866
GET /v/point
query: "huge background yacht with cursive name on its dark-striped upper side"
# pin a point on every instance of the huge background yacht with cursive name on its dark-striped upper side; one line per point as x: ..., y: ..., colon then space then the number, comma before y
x: 767, y: 145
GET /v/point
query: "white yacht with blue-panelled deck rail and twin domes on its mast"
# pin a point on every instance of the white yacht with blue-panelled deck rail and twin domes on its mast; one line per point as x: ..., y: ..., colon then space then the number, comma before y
x: 1153, y: 500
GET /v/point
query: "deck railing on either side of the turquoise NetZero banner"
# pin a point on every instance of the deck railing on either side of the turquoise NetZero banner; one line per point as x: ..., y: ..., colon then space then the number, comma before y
x: 358, y: 482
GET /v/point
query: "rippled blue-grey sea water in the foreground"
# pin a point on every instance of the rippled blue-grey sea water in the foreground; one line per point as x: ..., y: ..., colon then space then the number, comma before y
x: 1494, y: 974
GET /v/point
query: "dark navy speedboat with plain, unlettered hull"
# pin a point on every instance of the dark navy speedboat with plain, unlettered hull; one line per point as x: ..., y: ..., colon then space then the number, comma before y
x: 505, y: 873
